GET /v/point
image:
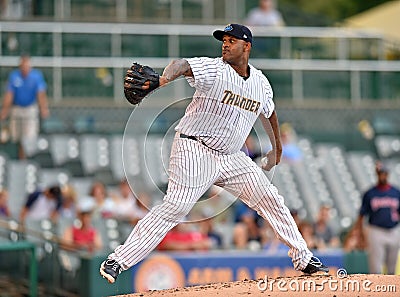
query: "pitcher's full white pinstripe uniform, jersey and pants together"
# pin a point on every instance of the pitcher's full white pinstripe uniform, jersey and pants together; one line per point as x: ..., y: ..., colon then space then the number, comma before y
x: 222, y: 113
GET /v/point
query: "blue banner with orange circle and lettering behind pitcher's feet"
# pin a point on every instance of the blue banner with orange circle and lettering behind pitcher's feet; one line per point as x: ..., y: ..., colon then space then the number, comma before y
x: 169, y: 270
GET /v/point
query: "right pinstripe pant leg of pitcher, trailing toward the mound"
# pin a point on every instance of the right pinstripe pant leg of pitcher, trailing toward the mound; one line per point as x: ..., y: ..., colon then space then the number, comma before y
x: 243, y: 178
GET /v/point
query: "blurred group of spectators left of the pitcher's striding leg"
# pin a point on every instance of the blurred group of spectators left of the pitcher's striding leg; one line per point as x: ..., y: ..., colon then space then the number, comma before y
x: 61, y: 203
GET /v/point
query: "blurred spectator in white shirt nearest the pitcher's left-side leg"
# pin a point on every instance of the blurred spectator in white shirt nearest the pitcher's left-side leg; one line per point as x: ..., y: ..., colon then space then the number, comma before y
x: 127, y: 206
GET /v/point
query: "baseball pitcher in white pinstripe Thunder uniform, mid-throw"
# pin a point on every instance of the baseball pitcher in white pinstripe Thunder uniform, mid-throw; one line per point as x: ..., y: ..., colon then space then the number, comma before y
x: 230, y: 96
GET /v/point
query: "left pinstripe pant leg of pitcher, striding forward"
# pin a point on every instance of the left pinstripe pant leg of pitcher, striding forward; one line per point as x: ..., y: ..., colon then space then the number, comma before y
x: 193, y: 169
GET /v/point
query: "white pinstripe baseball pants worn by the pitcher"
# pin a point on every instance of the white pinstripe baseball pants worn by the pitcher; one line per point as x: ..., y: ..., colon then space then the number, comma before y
x: 193, y: 169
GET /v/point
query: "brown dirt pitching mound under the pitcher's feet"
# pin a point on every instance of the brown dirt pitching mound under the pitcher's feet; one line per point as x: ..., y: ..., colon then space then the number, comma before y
x: 334, y: 286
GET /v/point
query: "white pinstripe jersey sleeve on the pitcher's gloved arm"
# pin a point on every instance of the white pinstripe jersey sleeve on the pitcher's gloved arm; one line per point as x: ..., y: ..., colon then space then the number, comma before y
x: 204, y: 71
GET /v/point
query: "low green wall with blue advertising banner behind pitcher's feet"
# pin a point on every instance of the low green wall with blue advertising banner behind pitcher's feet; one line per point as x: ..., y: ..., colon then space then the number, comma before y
x: 168, y: 270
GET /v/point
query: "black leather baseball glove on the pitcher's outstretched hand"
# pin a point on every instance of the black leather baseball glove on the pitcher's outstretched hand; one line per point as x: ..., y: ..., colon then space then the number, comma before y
x: 136, y: 77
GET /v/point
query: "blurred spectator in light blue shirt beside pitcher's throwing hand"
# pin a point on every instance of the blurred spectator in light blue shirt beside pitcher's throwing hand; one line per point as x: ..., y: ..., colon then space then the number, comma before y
x: 291, y: 153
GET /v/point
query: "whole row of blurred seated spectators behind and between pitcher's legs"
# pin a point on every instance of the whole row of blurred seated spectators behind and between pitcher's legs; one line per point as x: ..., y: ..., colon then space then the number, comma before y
x: 218, y: 220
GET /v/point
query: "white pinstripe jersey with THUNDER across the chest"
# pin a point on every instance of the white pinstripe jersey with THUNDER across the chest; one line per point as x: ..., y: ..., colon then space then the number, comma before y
x: 225, y: 106
